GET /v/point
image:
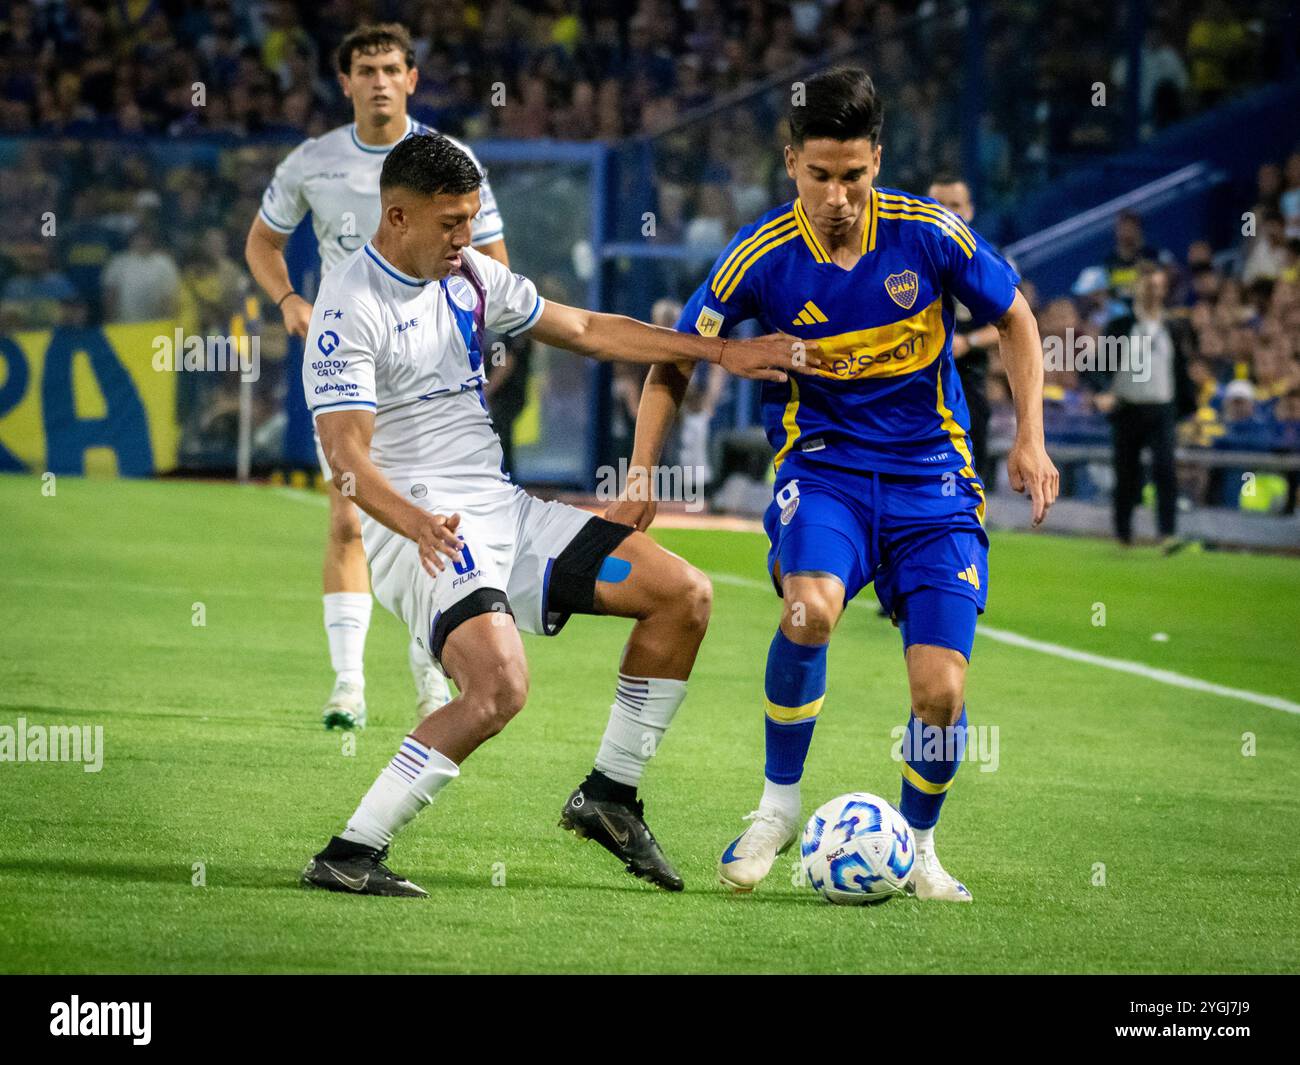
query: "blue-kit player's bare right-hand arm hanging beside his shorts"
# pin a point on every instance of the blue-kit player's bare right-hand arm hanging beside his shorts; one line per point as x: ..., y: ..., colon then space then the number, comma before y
x: 1028, y: 466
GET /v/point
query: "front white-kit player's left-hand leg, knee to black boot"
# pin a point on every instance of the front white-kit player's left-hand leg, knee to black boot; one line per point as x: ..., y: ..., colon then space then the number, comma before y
x: 486, y: 657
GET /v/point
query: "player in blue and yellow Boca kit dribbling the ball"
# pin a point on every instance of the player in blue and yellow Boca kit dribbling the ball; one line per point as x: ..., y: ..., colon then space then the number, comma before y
x: 874, y: 479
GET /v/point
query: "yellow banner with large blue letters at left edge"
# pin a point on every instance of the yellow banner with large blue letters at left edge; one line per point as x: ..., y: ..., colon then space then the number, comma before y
x: 88, y: 401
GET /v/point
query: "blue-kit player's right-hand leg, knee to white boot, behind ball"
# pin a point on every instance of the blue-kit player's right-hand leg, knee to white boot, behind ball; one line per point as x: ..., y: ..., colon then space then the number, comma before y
x: 938, y: 681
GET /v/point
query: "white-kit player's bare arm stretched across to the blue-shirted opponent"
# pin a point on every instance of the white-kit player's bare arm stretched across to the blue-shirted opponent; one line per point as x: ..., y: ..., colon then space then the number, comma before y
x: 614, y: 337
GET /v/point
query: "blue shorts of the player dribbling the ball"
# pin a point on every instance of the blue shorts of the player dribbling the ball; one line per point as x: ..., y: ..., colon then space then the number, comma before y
x: 902, y: 534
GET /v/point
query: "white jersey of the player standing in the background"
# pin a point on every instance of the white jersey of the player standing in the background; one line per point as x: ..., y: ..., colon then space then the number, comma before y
x: 337, y: 179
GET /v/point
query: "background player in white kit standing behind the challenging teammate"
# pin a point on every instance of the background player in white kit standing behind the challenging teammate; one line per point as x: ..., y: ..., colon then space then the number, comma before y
x: 337, y: 179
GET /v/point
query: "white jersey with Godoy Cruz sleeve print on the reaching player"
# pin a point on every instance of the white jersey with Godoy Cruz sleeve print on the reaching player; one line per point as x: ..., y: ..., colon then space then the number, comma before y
x: 413, y: 352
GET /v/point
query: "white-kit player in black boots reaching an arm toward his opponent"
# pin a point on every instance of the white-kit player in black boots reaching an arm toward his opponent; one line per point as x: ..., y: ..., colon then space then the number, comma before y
x: 395, y: 375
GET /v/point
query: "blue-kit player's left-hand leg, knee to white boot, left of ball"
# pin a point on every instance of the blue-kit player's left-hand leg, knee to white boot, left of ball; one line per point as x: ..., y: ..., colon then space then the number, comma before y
x: 812, y: 608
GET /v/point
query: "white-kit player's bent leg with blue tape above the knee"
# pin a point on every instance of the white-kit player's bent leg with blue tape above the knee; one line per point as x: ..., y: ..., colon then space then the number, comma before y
x: 670, y: 601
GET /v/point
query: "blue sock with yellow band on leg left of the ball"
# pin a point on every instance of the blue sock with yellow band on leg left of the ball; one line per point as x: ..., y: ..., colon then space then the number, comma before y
x: 796, y: 689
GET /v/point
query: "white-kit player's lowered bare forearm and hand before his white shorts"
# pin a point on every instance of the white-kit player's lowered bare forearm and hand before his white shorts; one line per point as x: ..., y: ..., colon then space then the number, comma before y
x: 346, y: 439
